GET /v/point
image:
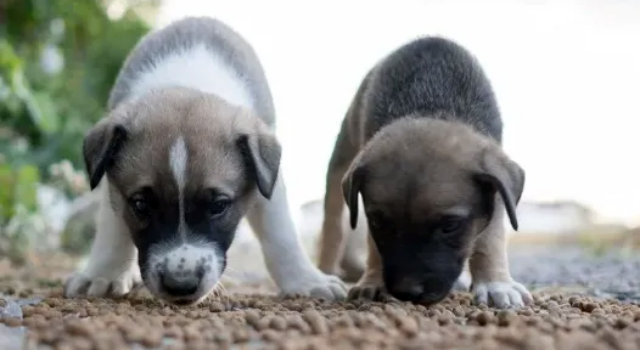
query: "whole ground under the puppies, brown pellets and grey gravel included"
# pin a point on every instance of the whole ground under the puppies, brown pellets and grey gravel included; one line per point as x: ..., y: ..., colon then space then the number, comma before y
x: 583, y: 301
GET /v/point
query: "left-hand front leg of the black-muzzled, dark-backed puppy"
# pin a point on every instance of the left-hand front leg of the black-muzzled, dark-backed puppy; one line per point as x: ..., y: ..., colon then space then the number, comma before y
x: 371, y: 284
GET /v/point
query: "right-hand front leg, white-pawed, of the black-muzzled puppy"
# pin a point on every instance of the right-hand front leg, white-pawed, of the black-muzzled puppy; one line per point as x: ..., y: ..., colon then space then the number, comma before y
x: 491, y: 280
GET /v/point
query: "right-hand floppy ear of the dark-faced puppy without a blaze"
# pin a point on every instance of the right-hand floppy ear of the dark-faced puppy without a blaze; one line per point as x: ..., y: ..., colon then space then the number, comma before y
x: 504, y: 176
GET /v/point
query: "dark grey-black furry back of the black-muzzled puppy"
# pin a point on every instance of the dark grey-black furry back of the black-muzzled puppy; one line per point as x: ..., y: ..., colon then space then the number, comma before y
x: 430, y: 77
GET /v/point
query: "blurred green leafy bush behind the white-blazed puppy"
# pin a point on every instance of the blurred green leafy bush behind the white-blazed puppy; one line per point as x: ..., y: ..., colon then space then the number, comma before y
x: 58, y: 60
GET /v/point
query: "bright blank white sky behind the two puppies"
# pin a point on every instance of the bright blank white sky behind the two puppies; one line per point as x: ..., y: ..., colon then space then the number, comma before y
x: 565, y: 73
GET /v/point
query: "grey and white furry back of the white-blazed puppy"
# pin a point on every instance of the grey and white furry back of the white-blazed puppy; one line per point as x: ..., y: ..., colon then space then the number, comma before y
x: 219, y: 59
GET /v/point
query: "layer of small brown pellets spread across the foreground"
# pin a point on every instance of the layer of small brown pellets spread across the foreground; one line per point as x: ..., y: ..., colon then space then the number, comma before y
x: 259, y: 321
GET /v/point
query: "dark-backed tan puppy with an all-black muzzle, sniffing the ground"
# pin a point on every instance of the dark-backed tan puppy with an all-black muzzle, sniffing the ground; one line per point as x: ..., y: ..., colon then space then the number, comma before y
x: 421, y: 144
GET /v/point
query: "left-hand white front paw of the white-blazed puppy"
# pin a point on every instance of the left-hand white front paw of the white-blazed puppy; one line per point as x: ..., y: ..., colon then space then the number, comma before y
x: 105, y: 283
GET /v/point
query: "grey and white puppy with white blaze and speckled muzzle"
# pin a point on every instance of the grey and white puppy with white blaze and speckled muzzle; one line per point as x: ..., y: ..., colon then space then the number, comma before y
x: 189, y: 149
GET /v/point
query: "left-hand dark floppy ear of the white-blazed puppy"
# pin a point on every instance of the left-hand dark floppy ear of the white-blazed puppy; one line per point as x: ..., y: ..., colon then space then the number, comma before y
x: 100, y: 146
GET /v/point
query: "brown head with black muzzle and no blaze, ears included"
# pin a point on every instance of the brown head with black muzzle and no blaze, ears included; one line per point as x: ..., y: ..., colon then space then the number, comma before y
x: 428, y: 188
